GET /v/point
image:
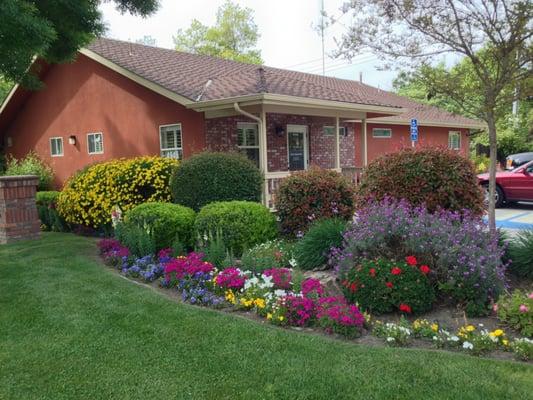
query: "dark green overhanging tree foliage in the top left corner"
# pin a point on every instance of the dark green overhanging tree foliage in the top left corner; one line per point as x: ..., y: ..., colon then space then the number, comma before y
x: 52, y: 30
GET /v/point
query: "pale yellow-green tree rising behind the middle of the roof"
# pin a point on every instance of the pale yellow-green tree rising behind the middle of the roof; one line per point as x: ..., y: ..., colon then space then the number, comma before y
x: 234, y: 36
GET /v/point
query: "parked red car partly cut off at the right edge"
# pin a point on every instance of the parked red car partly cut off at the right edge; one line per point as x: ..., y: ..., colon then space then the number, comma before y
x: 511, y: 186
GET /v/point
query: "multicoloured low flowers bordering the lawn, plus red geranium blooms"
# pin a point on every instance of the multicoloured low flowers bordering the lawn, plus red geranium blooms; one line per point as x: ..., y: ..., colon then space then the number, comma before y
x: 271, y: 295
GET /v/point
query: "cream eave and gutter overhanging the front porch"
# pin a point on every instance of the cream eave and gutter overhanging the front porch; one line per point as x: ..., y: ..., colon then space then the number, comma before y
x: 277, y: 103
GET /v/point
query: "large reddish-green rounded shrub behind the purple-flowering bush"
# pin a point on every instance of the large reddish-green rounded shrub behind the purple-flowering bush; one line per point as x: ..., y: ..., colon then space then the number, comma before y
x: 436, y: 177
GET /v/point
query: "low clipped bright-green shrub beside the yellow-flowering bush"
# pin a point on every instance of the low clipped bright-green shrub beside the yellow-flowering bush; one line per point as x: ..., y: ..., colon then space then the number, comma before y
x: 166, y: 222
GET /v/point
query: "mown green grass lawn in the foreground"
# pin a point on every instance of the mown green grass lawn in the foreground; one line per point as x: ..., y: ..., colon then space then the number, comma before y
x: 72, y: 329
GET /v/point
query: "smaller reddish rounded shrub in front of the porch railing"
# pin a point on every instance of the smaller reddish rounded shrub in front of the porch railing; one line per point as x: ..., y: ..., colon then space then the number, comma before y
x: 311, y: 195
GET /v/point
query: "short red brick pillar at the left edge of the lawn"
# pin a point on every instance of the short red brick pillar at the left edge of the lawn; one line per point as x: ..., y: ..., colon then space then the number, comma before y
x: 18, y: 211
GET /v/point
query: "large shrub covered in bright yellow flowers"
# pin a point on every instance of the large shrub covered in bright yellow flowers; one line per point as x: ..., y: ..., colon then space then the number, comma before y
x: 90, y: 196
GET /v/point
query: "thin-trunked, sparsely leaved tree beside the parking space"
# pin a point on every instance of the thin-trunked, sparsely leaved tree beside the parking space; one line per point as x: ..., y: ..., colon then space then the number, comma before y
x: 495, y: 35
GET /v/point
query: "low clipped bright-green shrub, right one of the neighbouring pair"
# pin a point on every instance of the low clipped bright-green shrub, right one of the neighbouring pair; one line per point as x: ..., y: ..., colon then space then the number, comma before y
x: 241, y: 224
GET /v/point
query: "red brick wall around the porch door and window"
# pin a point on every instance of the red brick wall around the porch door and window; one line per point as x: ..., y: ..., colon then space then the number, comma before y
x: 221, y: 135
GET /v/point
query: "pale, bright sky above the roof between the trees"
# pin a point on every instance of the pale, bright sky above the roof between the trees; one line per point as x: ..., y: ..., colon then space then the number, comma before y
x: 288, y: 38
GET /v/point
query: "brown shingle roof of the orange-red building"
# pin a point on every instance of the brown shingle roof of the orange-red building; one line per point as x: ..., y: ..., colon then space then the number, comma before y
x: 187, y: 74
